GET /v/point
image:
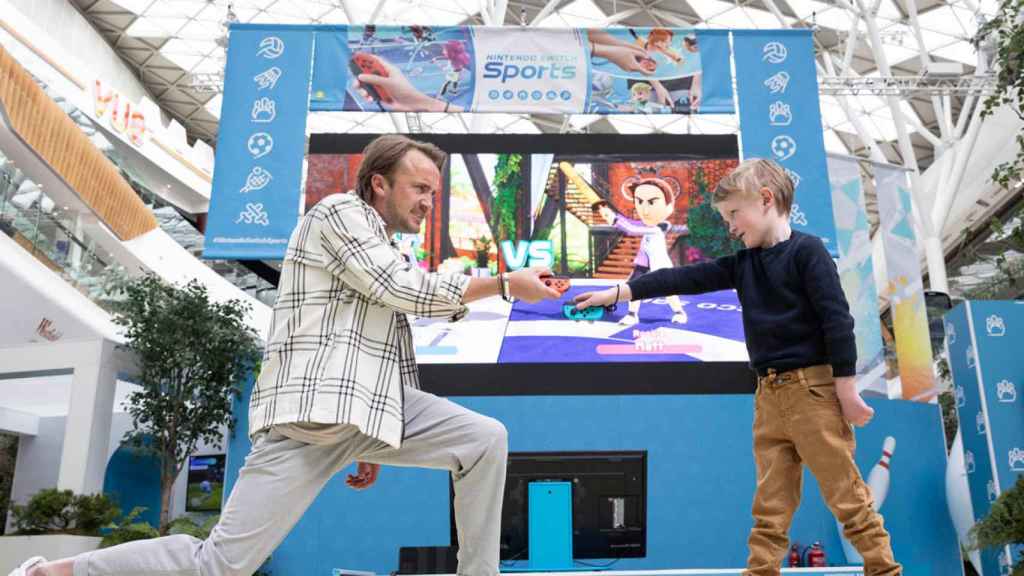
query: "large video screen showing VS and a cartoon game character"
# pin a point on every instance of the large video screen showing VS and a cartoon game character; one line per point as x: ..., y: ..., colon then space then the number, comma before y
x: 599, y: 210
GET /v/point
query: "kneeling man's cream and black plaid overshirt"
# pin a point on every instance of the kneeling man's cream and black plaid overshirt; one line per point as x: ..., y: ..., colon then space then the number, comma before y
x: 340, y: 348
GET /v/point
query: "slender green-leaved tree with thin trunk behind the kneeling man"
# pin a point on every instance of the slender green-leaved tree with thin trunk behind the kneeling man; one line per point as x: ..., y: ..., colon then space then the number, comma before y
x: 192, y: 354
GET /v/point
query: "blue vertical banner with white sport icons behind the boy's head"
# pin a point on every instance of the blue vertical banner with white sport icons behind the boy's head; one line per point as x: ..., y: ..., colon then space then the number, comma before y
x: 780, y: 119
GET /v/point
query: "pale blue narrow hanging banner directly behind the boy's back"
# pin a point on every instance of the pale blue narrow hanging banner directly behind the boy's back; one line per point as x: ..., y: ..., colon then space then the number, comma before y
x: 857, y: 273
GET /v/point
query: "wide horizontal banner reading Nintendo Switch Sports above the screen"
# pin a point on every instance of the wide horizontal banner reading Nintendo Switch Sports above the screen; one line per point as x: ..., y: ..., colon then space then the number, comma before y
x: 513, y: 70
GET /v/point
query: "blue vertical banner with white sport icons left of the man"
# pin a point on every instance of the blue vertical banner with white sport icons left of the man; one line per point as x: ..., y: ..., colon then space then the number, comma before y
x: 254, y: 204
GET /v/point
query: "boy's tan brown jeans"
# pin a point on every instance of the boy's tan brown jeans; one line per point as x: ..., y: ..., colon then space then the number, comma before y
x: 797, y: 421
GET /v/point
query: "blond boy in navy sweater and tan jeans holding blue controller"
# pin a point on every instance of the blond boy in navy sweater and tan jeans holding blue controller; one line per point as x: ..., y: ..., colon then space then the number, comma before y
x: 800, y: 339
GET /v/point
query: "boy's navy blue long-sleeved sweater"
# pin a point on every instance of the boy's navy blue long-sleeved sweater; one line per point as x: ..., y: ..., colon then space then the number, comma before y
x: 795, y: 313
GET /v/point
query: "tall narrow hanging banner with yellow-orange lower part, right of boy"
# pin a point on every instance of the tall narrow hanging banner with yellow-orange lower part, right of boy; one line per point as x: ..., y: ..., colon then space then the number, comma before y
x: 905, y: 286
